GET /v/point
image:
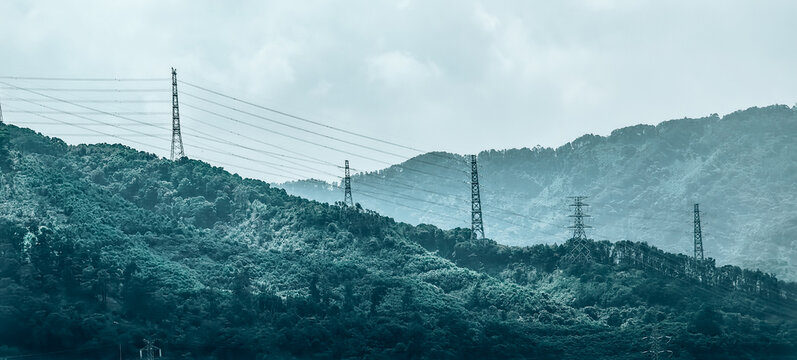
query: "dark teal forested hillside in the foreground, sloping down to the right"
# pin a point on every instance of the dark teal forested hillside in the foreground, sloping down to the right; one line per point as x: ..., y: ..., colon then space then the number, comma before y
x: 104, y: 245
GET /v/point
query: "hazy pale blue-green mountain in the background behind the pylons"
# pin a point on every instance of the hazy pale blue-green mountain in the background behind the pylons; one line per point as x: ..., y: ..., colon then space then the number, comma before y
x: 642, y: 182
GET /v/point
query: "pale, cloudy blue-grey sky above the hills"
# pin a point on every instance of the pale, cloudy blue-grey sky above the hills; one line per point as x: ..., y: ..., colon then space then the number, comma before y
x: 459, y: 76
